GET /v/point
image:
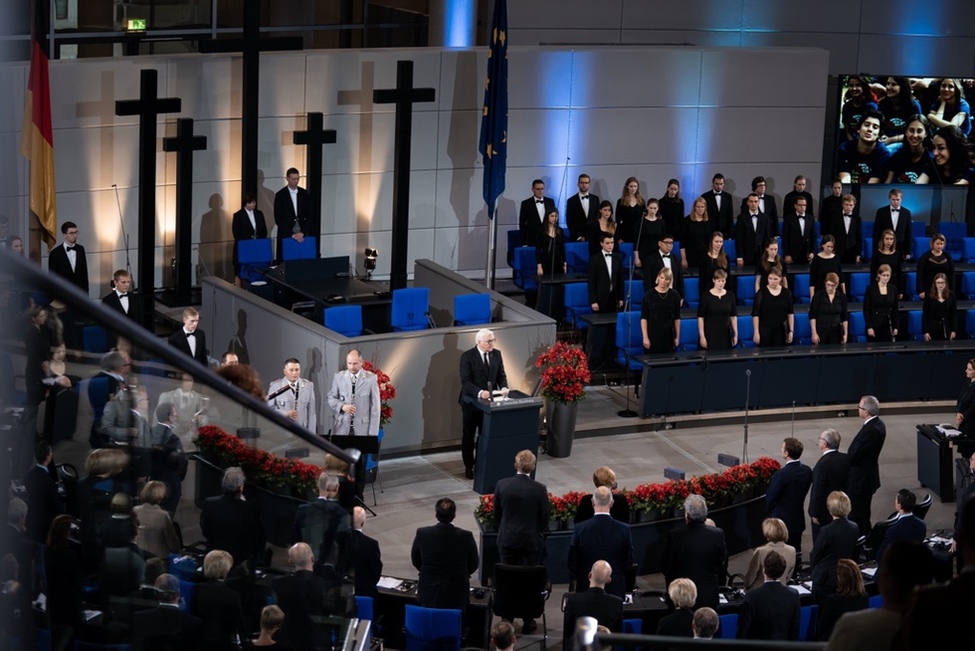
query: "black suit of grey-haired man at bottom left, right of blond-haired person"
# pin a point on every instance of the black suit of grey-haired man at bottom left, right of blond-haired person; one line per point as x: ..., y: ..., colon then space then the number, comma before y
x: 301, y: 596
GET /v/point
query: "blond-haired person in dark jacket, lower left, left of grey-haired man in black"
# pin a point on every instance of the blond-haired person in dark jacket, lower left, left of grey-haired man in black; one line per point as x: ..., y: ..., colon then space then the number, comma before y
x: 218, y: 605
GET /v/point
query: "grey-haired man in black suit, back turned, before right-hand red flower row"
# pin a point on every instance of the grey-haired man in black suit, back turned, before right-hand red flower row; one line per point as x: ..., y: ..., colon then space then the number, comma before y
x: 697, y: 552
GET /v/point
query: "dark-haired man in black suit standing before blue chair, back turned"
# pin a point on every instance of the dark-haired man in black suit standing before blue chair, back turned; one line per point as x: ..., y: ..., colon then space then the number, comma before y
x: 445, y: 556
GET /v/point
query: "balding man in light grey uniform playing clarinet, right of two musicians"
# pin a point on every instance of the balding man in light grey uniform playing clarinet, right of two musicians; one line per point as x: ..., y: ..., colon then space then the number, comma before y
x: 354, y: 401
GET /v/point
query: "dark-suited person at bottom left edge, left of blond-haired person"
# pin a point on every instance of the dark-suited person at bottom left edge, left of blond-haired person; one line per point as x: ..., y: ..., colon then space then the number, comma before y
x: 166, y: 626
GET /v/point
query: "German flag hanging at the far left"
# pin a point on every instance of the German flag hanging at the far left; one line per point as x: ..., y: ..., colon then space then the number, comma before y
x: 36, y: 138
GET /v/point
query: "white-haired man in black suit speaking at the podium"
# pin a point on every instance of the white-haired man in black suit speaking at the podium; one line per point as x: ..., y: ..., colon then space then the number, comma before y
x: 481, y: 372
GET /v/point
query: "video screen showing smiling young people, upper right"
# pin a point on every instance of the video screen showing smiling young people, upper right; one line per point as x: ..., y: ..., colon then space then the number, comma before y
x: 904, y: 130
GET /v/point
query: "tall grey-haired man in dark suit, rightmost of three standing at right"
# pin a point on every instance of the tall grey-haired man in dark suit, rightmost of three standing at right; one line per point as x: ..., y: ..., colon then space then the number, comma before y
x: 864, y: 455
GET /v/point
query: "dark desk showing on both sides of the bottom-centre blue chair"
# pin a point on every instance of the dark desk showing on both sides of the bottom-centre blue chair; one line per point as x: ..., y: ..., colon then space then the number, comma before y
x: 392, y: 604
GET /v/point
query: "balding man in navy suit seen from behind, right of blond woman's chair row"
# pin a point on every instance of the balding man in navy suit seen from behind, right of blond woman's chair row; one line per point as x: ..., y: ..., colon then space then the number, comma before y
x: 601, y: 538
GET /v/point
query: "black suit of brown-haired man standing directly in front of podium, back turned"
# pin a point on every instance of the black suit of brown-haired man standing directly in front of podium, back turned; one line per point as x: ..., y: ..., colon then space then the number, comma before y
x: 522, y: 509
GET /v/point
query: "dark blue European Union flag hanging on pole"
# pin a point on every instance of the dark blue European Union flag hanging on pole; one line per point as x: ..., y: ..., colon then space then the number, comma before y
x: 494, y: 121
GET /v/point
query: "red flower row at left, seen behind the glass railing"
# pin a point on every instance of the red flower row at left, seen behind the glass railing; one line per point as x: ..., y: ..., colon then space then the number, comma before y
x: 260, y: 467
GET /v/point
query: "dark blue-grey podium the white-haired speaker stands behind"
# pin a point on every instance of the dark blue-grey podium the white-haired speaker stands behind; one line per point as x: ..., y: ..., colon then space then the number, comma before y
x: 509, y: 427
